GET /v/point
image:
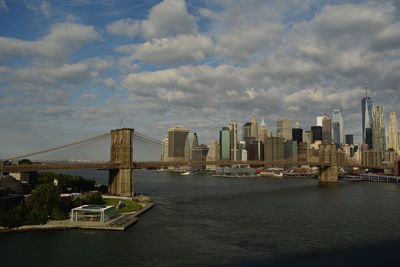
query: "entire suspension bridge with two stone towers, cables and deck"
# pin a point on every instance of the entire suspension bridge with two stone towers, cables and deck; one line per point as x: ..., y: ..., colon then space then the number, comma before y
x: 121, y: 161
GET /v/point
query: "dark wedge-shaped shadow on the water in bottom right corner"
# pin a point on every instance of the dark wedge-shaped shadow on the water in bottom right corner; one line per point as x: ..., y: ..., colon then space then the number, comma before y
x: 383, y: 253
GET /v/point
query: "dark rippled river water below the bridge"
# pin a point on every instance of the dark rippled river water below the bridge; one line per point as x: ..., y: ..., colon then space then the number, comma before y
x: 204, y: 220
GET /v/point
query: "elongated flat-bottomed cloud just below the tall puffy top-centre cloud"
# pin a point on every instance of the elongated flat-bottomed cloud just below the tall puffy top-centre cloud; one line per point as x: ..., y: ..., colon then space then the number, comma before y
x: 181, y: 49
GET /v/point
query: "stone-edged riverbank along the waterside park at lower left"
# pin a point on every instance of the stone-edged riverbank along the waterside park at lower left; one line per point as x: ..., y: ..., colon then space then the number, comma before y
x: 119, y: 223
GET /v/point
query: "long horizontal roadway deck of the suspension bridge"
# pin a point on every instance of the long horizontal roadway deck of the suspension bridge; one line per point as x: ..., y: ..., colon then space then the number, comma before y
x: 157, y: 164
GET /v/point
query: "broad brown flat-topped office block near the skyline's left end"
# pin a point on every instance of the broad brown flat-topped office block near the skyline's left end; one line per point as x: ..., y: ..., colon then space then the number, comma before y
x: 176, y: 143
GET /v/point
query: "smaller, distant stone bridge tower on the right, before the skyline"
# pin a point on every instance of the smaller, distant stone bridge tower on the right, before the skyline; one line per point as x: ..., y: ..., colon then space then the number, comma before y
x: 328, y: 155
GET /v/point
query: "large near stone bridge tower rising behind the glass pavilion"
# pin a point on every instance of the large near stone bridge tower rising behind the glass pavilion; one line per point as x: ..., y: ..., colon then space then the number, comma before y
x: 120, y: 181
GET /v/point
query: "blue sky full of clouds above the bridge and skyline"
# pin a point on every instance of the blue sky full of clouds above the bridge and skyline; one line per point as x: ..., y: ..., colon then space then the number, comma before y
x: 74, y: 69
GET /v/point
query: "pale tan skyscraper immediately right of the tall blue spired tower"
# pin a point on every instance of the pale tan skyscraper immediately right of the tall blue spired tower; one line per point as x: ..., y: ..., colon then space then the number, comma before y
x: 378, y: 129
